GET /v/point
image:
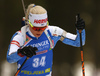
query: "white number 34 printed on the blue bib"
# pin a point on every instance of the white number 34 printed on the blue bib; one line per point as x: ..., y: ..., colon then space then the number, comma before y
x: 39, y: 62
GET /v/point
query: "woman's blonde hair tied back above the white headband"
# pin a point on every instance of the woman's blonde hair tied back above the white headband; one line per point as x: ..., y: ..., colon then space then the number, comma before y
x: 34, y: 10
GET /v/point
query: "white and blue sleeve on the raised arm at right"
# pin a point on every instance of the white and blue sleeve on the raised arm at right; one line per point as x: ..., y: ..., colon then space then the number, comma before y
x: 69, y: 38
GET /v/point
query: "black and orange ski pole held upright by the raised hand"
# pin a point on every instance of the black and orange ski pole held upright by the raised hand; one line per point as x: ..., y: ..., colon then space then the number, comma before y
x: 81, y: 47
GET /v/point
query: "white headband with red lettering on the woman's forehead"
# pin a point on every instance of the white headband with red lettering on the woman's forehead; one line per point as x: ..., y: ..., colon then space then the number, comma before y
x: 38, y: 20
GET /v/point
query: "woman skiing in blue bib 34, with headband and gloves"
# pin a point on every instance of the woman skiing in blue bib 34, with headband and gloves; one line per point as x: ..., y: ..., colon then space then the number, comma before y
x: 36, y: 41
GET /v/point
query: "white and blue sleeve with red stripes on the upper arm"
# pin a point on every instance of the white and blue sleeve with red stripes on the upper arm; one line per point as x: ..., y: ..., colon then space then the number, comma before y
x: 15, y: 44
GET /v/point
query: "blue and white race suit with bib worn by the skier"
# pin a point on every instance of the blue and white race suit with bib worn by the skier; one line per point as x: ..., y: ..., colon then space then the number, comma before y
x: 41, y: 63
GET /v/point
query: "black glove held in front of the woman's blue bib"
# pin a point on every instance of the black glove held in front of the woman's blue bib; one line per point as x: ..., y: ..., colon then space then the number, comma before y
x: 28, y: 51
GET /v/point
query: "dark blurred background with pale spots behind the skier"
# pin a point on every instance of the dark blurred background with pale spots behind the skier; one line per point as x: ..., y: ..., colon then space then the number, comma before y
x: 67, y: 59
